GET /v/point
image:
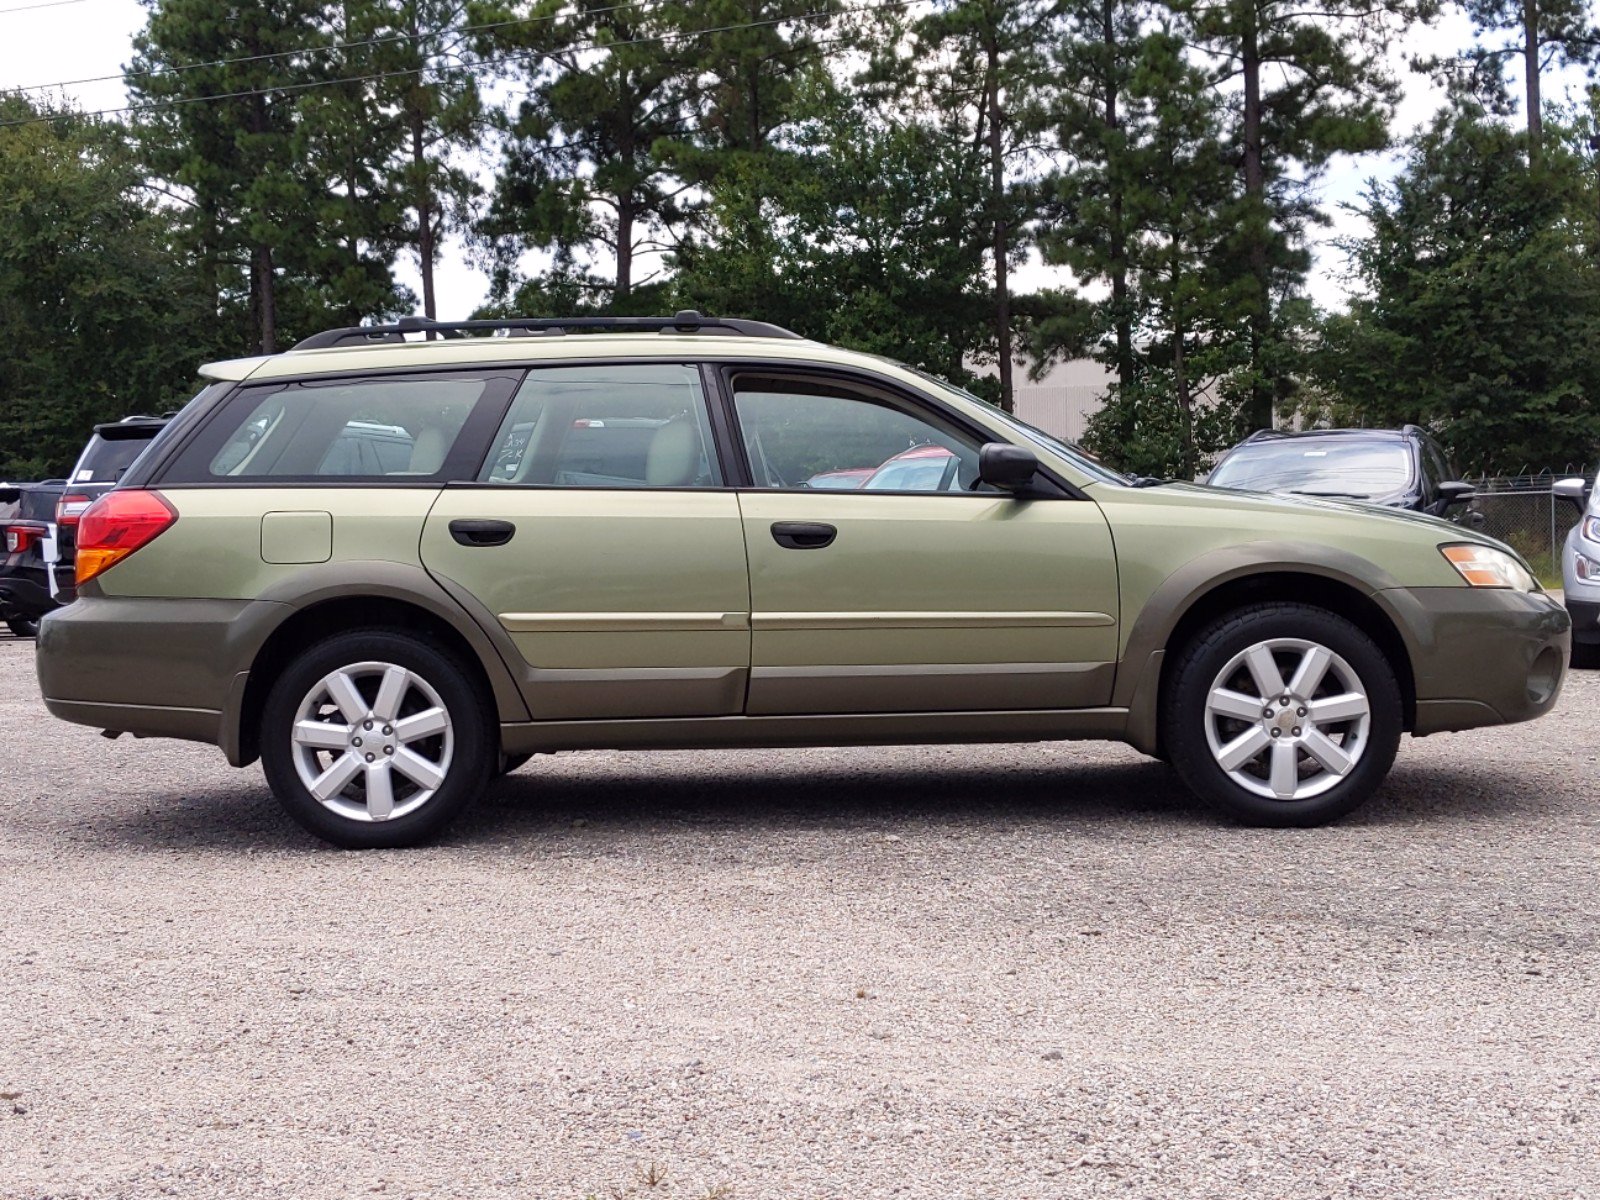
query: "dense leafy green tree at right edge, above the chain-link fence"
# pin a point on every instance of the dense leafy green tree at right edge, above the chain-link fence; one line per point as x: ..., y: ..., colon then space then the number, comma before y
x: 1482, y: 316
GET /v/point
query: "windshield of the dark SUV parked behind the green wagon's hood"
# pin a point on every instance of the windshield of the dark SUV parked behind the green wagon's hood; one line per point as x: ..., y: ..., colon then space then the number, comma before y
x: 1322, y: 466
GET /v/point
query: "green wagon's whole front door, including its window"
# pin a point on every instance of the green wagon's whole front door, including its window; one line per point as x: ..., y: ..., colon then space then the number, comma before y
x: 882, y: 582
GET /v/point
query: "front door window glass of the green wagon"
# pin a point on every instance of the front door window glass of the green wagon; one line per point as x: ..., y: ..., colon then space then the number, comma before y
x: 809, y: 434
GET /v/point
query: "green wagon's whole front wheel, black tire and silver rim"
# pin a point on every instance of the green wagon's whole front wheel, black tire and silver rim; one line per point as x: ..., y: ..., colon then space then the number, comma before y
x: 1282, y: 716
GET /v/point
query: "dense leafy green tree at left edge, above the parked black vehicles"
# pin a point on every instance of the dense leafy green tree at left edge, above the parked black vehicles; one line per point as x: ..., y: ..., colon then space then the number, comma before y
x: 102, y: 310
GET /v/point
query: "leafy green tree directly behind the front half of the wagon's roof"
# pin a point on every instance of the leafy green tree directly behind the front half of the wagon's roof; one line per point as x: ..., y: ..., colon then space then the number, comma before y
x: 866, y: 209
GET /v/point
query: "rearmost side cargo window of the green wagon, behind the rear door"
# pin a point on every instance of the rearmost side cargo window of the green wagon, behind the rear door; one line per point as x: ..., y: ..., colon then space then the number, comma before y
x: 383, y: 428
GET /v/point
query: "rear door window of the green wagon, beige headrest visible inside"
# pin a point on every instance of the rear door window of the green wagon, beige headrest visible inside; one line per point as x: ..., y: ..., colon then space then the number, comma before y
x: 622, y: 426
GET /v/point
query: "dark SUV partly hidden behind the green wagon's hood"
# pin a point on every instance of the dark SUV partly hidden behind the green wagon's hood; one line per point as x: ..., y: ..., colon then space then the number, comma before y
x: 1396, y: 468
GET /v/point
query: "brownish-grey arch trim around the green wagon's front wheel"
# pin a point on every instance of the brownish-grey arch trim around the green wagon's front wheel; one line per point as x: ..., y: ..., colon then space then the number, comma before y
x: 1207, y: 588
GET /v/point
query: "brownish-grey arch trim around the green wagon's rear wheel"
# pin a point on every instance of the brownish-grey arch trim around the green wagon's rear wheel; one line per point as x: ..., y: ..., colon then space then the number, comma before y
x: 356, y: 596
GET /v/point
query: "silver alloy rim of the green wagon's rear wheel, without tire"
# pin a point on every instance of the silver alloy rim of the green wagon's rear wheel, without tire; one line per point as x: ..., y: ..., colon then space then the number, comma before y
x: 372, y: 742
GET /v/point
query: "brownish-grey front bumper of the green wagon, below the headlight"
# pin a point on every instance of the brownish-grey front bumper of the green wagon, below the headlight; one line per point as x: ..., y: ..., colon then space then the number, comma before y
x: 1482, y: 655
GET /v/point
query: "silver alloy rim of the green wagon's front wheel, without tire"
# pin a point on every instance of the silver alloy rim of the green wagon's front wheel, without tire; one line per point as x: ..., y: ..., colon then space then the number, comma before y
x: 1287, y: 719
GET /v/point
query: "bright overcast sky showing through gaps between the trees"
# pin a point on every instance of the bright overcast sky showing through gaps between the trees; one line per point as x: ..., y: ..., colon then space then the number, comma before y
x: 87, y: 39
